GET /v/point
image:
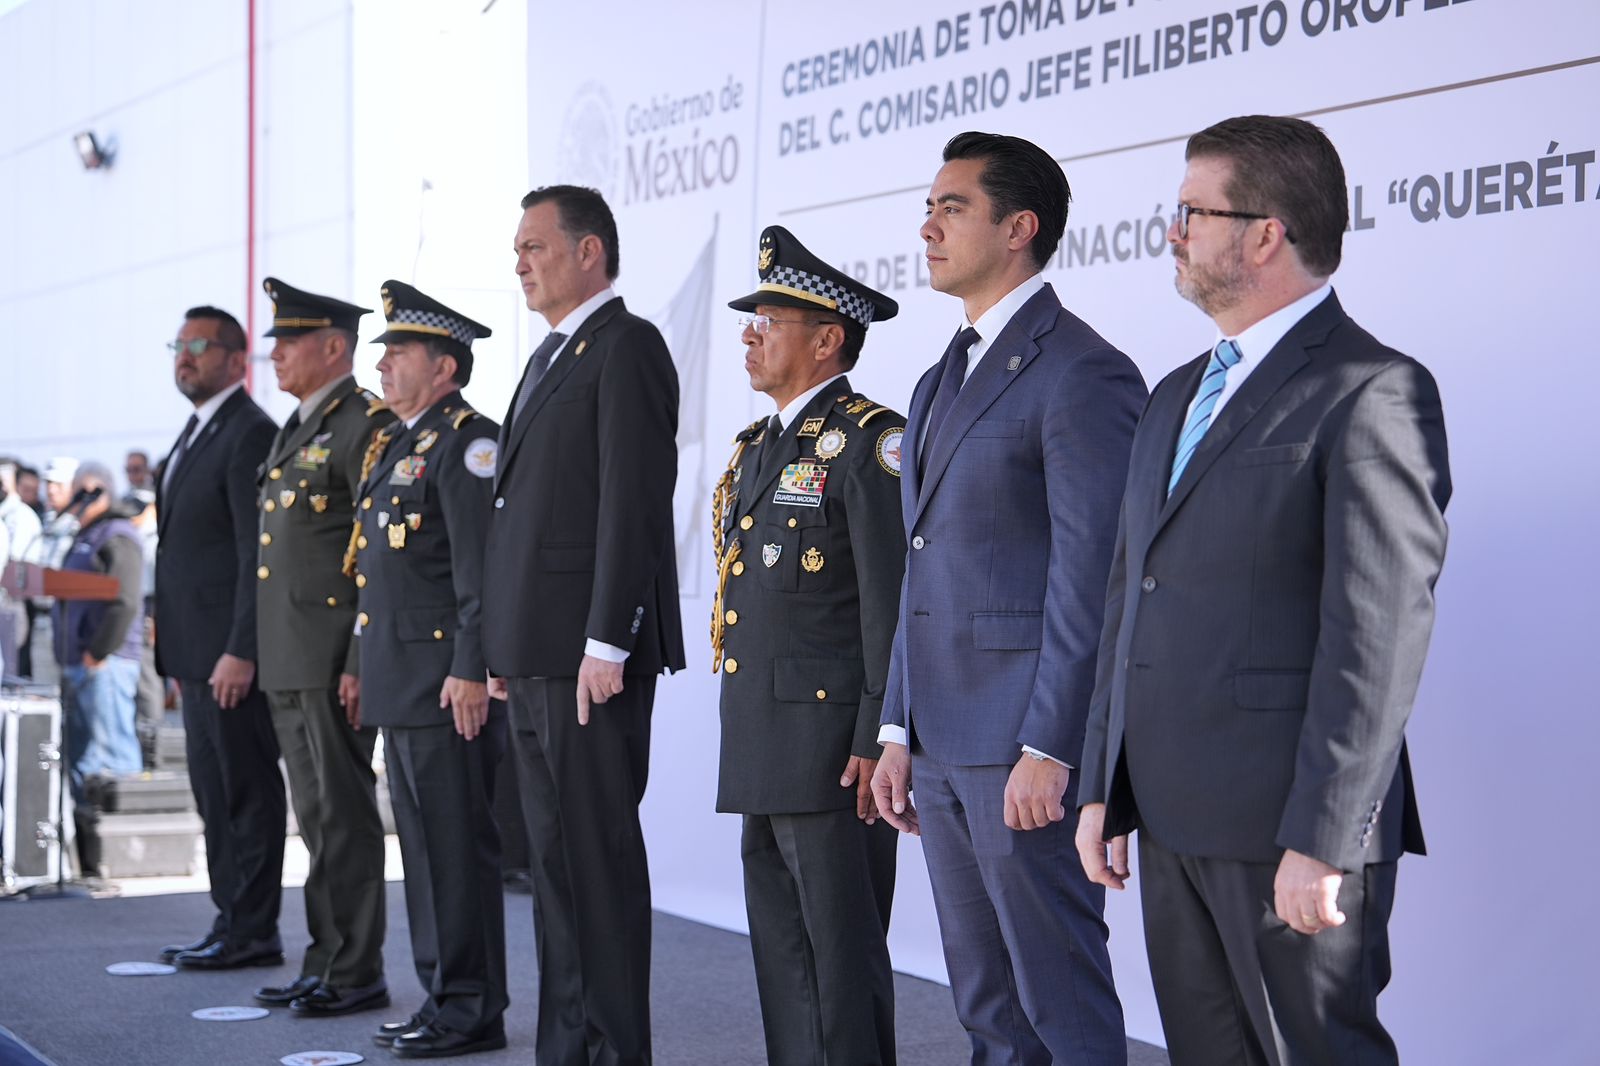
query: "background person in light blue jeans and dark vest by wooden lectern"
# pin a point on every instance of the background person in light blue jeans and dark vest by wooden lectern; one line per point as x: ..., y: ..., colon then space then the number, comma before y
x: 98, y: 646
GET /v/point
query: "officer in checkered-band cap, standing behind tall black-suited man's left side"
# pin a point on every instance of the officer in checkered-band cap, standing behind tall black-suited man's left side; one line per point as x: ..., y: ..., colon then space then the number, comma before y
x: 425, y: 507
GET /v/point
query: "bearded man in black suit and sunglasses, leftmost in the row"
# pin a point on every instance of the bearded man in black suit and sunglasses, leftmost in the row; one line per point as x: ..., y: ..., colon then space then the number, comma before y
x: 206, y: 638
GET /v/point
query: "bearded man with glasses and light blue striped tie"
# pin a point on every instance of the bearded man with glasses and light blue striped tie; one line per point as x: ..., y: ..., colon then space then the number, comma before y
x: 1268, y: 617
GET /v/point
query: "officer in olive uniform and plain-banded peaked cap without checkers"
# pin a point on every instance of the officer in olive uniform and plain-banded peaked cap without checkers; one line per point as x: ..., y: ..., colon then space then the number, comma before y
x: 308, y: 659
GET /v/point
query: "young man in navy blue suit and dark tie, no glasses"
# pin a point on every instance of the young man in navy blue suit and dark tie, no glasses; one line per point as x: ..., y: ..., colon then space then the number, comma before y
x: 1017, y: 451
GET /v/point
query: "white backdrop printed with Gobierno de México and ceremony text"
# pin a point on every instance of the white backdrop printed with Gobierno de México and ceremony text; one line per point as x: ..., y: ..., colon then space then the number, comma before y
x: 1470, y: 135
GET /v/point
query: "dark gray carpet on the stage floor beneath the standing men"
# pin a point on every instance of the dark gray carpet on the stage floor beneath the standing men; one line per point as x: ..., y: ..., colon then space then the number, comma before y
x: 57, y: 996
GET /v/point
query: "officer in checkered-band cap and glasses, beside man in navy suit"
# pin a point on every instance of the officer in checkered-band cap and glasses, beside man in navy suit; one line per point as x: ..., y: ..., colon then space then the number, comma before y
x: 810, y: 550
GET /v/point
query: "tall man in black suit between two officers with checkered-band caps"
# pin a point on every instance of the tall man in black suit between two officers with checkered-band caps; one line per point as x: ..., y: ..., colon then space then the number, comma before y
x: 580, y: 617
